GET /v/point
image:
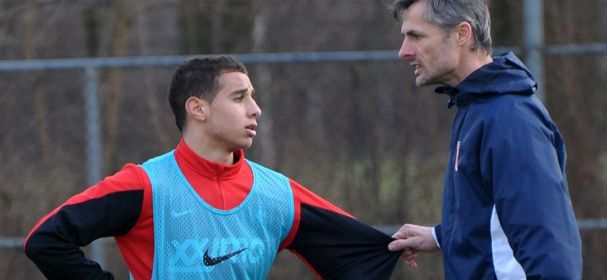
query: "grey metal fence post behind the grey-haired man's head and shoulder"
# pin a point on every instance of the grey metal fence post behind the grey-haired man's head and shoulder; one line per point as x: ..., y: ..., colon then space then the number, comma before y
x: 533, y: 37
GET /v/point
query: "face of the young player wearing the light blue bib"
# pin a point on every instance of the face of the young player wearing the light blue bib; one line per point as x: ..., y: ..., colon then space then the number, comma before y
x: 232, y: 116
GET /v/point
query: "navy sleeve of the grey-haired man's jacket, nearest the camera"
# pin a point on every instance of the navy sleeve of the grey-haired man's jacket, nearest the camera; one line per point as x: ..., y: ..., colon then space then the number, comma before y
x: 524, y: 161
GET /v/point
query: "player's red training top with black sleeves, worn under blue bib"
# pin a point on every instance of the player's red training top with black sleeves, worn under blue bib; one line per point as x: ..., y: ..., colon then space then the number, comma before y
x: 121, y: 206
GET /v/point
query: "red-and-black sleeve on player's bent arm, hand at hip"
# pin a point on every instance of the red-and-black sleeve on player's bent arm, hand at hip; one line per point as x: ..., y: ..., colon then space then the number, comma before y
x: 109, y: 208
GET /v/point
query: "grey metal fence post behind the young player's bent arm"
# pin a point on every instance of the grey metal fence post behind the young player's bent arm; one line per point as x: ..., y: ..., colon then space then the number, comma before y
x: 93, y: 142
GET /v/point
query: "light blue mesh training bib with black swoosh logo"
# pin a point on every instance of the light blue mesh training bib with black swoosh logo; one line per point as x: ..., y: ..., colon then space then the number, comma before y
x: 193, y: 240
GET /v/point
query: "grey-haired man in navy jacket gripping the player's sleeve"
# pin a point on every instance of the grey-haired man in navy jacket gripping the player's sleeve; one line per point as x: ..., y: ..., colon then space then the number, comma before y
x: 506, y: 208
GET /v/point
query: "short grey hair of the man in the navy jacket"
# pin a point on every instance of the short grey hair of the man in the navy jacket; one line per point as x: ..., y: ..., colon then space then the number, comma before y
x: 449, y: 13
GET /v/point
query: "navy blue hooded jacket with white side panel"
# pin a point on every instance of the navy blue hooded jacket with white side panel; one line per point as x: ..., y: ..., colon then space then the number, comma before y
x: 506, y: 207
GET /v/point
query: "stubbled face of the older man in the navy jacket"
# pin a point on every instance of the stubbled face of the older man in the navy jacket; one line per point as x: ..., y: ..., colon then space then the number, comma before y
x: 432, y: 54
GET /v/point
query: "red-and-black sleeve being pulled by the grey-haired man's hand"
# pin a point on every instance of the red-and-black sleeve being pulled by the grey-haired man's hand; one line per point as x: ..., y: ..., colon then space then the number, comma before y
x: 336, y: 245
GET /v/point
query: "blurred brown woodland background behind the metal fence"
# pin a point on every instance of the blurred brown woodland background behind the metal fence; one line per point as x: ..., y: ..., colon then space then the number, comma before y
x: 360, y: 134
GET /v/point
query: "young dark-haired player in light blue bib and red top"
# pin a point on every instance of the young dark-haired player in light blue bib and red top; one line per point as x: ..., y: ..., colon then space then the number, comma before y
x: 202, y: 211
